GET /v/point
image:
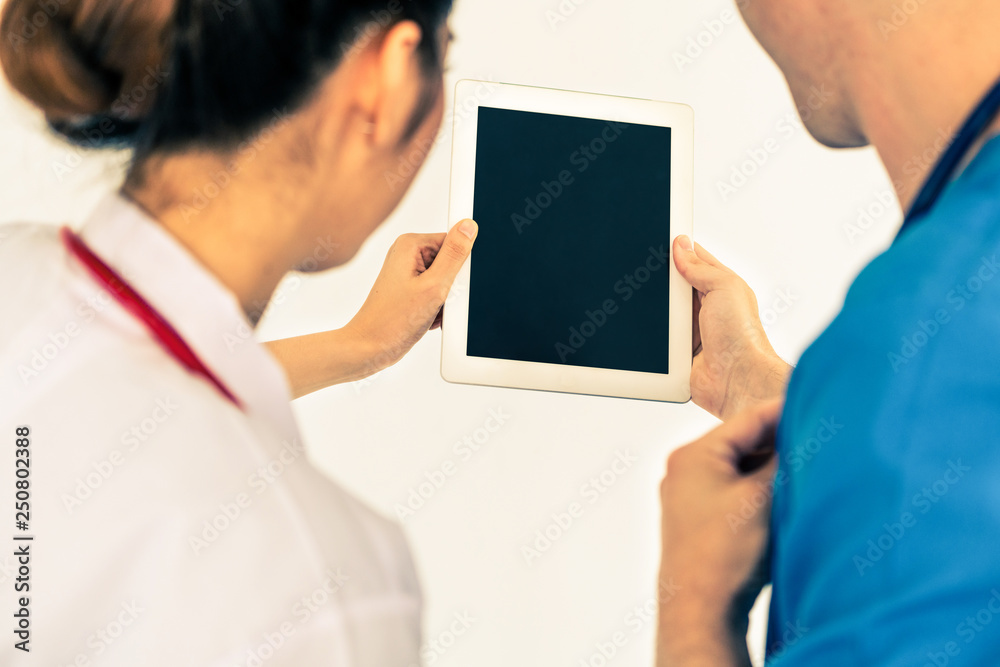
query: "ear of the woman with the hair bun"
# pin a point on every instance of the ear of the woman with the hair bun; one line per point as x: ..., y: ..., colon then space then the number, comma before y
x: 395, y: 84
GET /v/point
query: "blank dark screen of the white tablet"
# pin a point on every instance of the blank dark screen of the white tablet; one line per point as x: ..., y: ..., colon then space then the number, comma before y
x: 571, y: 263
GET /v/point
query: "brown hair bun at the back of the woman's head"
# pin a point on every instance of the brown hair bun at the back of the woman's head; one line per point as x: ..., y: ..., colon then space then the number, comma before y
x: 84, y: 60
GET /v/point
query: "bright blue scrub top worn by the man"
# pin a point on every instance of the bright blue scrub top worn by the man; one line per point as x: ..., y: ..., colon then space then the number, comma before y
x: 886, y: 514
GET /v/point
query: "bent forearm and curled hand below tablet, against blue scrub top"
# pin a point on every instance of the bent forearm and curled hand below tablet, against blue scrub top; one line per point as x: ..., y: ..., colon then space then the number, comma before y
x: 716, y: 515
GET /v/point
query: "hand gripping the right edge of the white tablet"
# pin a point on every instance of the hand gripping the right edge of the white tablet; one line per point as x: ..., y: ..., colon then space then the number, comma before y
x: 734, y: 364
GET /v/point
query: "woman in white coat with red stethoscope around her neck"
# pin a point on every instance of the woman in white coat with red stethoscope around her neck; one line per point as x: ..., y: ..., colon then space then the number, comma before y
x: 178, y: 520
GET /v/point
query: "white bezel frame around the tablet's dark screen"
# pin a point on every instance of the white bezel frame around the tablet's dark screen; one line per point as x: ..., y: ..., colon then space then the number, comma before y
x: 456, y: 365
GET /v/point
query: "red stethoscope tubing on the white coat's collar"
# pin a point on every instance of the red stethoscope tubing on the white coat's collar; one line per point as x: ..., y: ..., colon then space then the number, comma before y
x: 133, y: 302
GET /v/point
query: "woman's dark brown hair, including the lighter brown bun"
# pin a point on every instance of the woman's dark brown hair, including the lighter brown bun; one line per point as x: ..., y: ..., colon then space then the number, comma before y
x: 162, y: 74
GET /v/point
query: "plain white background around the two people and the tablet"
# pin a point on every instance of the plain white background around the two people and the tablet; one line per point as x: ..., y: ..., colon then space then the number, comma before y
x: 784, y: 231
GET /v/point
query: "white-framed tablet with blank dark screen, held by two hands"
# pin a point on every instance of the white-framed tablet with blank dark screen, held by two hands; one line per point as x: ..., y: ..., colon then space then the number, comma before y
x: 571, y: 286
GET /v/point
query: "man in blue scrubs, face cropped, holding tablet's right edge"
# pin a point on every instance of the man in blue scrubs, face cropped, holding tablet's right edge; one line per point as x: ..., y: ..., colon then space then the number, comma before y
x: 884, y: 531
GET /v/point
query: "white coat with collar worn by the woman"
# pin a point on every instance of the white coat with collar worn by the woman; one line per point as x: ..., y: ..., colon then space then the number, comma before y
x: 170, y: 527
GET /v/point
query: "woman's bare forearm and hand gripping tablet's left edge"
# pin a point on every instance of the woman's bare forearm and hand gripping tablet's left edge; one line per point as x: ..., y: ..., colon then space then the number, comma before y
x: 405, y: 303
